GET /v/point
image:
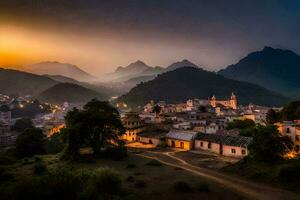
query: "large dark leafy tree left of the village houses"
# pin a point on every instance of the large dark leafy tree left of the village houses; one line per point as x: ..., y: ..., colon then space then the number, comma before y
x: 98, y: 125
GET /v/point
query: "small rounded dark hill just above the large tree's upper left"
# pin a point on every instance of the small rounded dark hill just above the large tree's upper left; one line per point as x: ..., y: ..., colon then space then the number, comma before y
x: 63, y: 92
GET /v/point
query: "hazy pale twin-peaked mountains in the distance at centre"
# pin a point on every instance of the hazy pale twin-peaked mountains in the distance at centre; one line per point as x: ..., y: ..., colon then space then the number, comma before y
x: 143, y: 72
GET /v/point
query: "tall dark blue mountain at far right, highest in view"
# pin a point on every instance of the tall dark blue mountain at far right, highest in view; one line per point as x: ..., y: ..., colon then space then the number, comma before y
x: 274, y: 69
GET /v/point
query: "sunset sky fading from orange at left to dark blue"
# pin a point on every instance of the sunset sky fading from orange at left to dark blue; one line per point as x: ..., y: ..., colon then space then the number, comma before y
x: 100, y: 35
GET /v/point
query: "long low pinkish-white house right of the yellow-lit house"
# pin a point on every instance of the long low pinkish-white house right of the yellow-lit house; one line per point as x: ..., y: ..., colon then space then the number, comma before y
x: 227, y: 145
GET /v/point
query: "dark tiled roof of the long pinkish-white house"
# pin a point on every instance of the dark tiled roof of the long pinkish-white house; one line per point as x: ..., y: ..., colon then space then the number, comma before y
x: 230, y: 140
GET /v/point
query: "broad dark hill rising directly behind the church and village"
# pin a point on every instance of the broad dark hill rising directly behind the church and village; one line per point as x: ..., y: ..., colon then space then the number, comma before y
x: 189, y: 82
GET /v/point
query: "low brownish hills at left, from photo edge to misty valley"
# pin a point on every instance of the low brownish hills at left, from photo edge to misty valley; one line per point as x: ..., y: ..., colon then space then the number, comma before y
x: 48, y: 88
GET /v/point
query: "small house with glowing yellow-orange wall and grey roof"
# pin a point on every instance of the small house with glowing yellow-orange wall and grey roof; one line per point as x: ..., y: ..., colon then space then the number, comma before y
x: 181, y: 139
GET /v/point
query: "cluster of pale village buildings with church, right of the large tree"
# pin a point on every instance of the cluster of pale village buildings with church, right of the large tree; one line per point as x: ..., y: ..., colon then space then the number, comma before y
x: 198, y: 125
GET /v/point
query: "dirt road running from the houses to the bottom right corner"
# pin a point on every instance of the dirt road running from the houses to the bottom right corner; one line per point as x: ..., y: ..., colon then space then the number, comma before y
x: 246, y: 188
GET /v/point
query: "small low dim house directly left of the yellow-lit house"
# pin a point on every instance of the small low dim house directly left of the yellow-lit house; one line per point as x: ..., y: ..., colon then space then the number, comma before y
x: 153, y: 137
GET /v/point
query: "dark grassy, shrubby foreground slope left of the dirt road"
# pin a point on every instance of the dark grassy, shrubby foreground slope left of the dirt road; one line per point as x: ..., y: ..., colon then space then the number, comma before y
x: 48, y: 177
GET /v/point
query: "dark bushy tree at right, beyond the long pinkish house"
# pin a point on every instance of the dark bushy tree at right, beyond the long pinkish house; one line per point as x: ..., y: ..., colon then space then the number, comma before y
x: 268, y: 145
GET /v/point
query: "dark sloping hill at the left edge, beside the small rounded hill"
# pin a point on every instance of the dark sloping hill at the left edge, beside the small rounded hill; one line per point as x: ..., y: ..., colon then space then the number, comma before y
x: 23, y: 83
